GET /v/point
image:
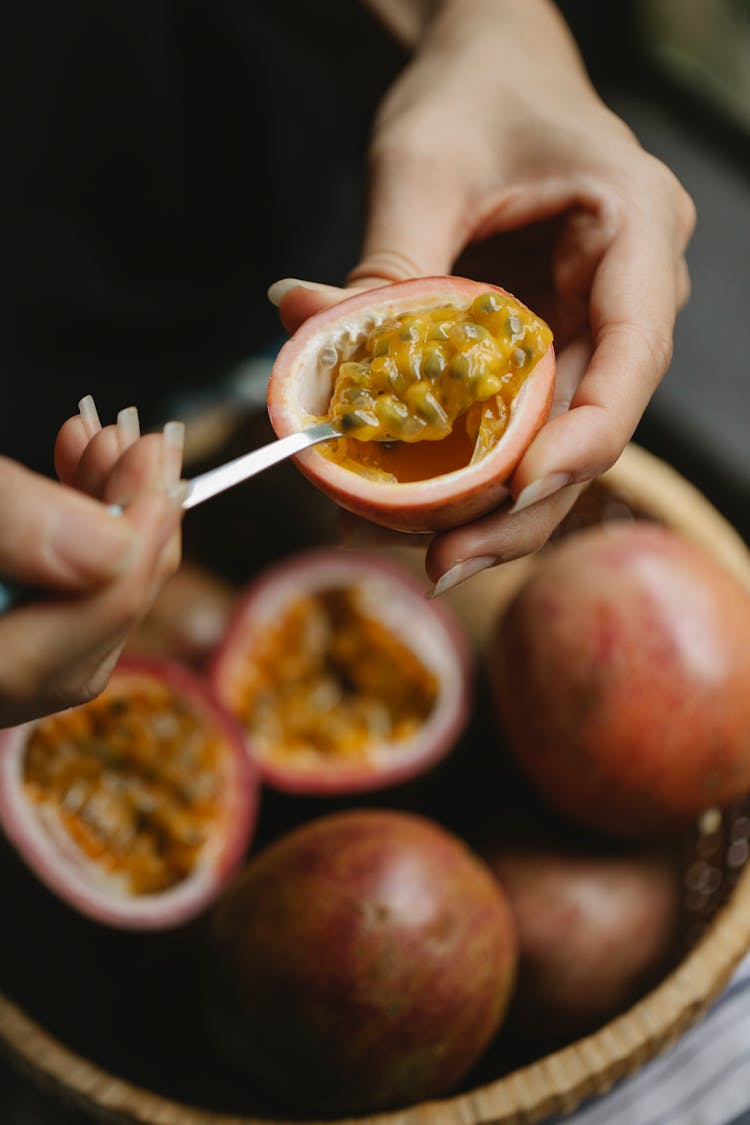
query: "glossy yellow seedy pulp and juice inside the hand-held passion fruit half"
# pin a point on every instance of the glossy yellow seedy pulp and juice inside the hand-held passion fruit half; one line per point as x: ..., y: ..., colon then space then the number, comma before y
x: 399, y: 400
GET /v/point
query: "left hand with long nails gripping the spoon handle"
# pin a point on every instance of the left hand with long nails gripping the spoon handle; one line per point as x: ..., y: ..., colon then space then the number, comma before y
x: 101, y: 572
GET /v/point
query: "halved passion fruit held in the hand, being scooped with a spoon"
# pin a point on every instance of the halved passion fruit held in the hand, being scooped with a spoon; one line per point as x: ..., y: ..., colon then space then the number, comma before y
x: 438, y: 386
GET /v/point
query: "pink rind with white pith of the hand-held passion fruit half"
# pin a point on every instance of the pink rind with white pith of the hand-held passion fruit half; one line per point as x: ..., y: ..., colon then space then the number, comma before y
x: 427, y: 506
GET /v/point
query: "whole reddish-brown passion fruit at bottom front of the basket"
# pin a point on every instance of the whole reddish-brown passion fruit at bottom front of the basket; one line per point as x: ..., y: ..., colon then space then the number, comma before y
x: 369, y: 960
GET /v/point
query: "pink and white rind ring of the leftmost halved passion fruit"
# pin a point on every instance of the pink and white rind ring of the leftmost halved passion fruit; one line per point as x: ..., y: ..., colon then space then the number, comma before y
x: 61, y: 868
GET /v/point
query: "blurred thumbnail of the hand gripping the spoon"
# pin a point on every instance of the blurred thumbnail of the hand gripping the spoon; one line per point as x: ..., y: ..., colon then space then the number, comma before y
x: 92, y: 545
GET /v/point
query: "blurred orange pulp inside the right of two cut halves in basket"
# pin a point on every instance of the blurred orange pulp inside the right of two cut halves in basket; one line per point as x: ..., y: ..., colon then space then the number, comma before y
x: 328, y: 681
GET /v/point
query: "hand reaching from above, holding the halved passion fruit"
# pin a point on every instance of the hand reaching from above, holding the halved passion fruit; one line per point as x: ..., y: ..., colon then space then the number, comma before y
x: 494, y: 158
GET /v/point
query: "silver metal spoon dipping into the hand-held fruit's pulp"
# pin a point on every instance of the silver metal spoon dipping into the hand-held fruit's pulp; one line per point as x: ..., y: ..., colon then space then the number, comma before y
x: 207, y: 485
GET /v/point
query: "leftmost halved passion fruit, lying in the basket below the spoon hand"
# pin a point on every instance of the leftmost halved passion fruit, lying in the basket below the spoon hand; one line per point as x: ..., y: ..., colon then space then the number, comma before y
x: 138, y: 807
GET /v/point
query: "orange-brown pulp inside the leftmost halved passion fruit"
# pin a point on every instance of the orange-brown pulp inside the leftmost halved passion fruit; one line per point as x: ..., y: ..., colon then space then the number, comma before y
x: 133, y: 779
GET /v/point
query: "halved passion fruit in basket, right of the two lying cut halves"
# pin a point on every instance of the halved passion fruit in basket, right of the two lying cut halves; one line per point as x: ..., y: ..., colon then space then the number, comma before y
x: 344, y: 677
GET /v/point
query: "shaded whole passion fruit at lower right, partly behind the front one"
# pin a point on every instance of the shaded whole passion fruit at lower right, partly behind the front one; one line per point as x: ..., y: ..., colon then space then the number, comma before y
x: 593, y: 931
